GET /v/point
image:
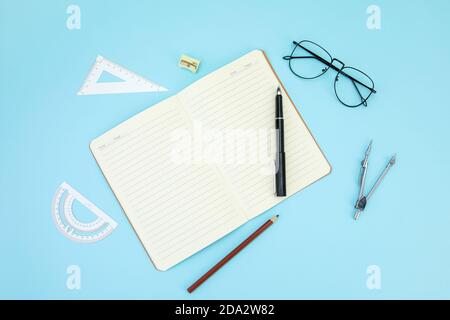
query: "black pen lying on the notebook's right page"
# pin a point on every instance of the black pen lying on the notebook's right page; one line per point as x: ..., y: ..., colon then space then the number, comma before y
x: 280, y: 175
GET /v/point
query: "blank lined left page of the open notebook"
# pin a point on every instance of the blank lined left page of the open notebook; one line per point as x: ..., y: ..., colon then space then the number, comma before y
x: 176, y: 208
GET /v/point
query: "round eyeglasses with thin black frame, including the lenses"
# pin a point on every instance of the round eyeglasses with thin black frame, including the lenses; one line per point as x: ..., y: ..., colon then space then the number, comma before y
x: 309, y: 60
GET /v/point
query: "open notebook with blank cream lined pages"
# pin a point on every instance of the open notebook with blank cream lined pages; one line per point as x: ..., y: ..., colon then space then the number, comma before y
x: 179, y: 207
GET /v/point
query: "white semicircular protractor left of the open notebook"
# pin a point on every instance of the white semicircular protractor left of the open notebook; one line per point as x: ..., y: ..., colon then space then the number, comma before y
x: 70, y: 226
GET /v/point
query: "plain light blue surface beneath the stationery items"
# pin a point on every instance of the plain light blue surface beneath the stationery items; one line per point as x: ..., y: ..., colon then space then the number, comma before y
x: 316, y: 250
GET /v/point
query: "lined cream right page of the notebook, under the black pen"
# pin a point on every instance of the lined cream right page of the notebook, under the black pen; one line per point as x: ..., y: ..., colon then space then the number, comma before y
x: 240, y: 97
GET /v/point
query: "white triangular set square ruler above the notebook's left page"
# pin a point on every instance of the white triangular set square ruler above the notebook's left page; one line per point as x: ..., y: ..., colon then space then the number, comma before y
x: 131, y: 81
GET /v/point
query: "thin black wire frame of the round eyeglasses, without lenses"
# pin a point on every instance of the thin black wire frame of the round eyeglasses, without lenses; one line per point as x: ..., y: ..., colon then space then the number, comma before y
x: 332, y: 66
